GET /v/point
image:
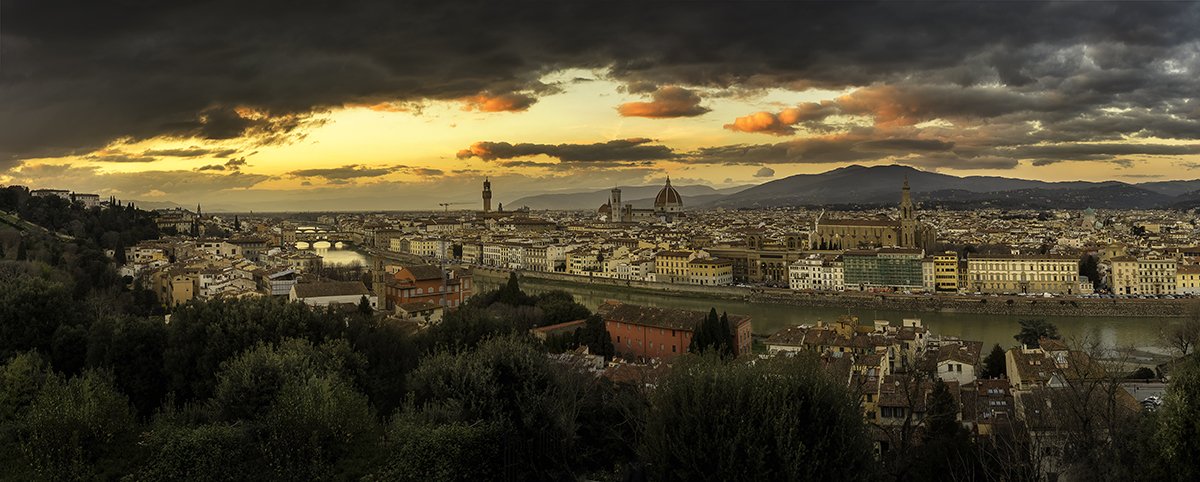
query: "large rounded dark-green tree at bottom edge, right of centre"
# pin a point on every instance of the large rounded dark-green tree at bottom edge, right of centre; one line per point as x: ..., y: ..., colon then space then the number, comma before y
x: 782, y: 419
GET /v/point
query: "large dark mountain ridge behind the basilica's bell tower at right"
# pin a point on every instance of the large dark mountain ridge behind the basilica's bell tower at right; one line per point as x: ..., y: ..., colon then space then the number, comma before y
x: 881, y: 185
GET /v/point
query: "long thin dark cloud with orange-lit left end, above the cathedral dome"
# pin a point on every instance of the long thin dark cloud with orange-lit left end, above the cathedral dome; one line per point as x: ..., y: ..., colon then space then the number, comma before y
x: 638, y: 149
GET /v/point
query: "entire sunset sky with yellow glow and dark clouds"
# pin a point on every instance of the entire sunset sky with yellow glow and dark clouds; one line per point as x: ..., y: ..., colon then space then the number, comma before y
x: 395, y: 106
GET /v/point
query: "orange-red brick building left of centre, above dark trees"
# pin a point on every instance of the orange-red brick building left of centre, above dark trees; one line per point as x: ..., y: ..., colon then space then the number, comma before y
x: 446, y: 288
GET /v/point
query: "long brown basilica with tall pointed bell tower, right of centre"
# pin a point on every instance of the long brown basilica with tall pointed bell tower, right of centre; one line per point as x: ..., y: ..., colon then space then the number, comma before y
x: 865, y: 234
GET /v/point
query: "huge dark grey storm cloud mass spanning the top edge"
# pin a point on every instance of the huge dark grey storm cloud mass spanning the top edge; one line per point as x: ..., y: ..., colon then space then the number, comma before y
x: 80, y: 75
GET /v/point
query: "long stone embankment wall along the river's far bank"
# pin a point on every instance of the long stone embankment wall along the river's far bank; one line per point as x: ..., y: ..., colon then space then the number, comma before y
x: 1006, y: 306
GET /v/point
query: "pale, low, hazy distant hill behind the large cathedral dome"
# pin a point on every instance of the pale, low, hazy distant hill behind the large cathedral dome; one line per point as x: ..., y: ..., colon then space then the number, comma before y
x: 638, y: 196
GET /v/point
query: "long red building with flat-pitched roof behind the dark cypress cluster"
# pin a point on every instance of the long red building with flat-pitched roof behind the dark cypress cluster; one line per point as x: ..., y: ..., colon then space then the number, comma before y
x: 649, y: 333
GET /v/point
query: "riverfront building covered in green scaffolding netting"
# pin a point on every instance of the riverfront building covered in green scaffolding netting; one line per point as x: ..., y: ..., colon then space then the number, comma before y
x: 892, y: 269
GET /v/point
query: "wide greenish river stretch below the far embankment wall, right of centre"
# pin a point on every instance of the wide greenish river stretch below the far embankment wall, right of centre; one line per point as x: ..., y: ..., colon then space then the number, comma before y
x: 1141, y: 334
